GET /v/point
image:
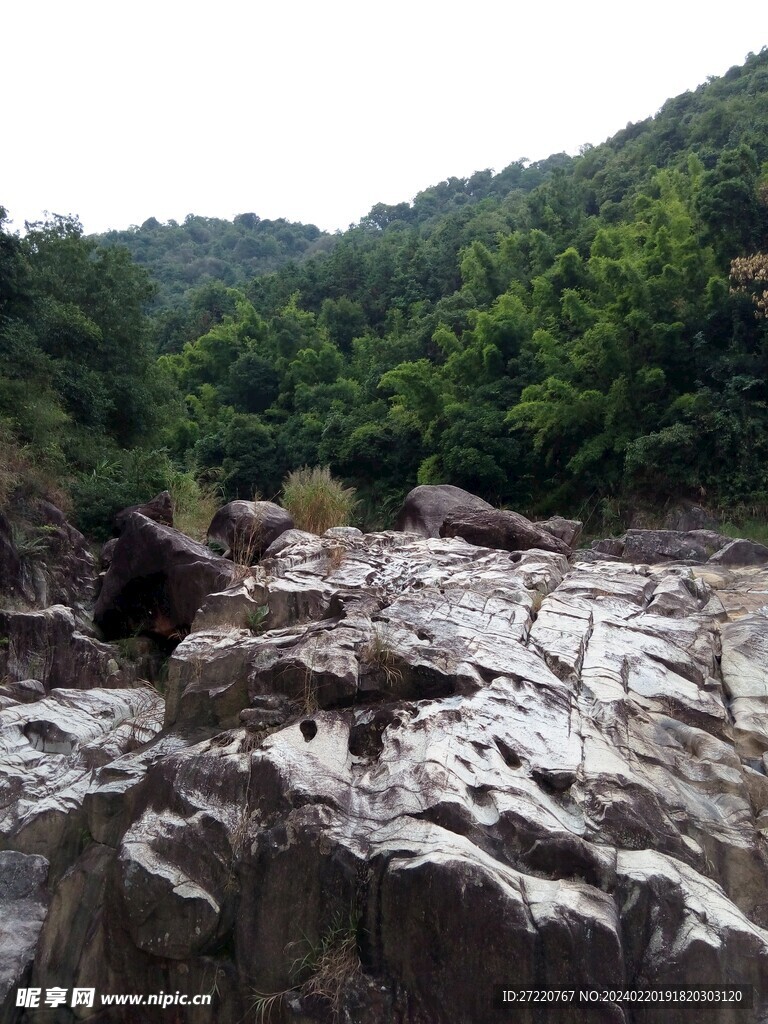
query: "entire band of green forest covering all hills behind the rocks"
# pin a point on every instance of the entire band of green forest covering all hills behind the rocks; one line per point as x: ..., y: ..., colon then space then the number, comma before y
x: 558, y: 336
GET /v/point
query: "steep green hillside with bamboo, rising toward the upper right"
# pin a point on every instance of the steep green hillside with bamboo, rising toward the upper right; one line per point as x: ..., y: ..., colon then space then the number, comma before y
x: 546, y: 337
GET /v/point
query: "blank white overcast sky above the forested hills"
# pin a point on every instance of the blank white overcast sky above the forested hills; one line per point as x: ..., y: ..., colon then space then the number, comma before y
x: 316, y: 110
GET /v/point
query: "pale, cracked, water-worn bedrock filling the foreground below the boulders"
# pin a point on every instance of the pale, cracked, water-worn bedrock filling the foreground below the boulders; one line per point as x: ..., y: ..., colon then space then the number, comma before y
x: 390, y: 773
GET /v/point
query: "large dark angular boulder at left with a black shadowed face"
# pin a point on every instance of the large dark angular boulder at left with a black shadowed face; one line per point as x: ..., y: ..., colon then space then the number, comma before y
x: 157, y: 581
